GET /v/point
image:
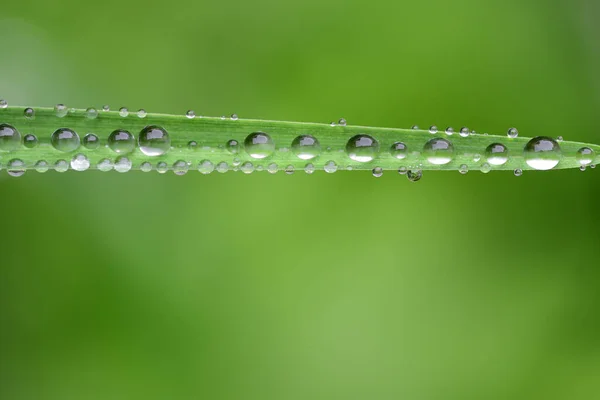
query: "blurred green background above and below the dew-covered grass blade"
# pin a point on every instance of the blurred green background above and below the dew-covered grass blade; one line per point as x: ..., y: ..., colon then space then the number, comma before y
x: 148, y: 286
